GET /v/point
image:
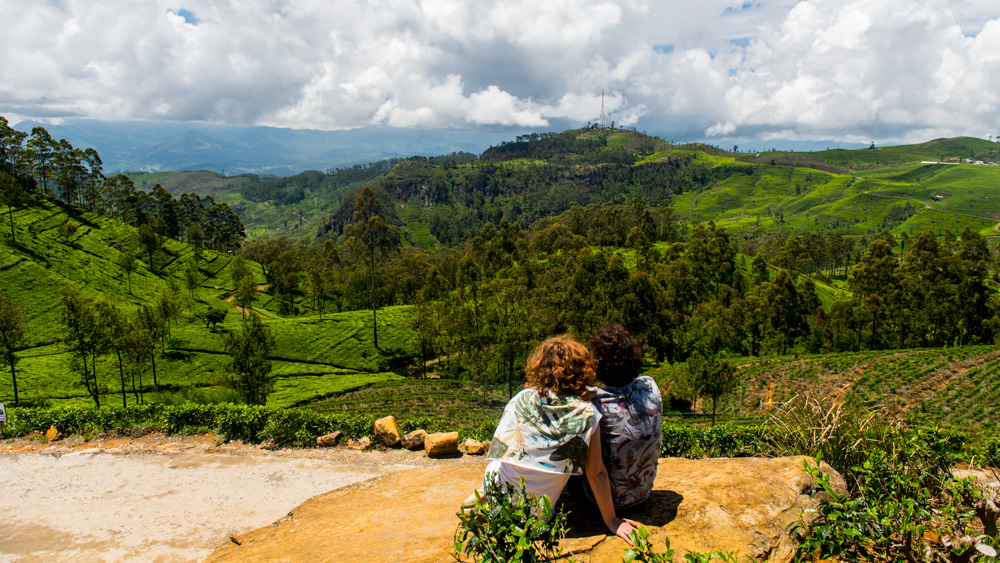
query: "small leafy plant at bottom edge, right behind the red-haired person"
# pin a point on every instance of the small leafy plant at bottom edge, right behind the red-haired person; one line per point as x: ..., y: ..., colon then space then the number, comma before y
x: 506, y: 523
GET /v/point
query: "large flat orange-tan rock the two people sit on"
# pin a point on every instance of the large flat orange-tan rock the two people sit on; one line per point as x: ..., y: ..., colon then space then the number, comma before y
x: 740, y: 505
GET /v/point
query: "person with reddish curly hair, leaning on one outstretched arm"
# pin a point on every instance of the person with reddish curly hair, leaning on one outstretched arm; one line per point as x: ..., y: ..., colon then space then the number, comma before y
x: 548, y: 431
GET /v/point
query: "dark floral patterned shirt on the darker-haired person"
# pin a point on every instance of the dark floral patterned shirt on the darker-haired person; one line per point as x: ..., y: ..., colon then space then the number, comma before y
x: 631, y: 432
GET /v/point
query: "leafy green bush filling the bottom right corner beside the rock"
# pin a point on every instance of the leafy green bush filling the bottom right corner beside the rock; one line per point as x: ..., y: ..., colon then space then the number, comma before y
x: 906, y: 506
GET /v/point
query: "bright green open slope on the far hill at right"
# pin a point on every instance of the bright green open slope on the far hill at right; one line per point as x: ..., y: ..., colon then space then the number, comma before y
x: 806, y: 199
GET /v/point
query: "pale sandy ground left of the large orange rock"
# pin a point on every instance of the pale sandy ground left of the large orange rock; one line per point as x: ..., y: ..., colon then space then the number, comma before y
x: 160, y: 498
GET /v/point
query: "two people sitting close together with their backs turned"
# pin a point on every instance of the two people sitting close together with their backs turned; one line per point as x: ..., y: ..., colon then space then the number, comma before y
x: 560, y: 427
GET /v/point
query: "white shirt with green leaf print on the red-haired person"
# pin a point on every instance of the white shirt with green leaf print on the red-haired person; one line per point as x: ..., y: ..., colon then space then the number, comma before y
x: 544, y: 432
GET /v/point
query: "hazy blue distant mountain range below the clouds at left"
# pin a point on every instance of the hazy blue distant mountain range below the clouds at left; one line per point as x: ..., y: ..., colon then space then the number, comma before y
x: 160, y: 146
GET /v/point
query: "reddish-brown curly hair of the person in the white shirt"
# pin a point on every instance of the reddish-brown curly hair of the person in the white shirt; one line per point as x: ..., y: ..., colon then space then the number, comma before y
x: 560, y: 365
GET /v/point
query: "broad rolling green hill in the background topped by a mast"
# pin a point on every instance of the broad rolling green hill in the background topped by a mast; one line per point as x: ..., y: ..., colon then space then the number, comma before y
x: 437, y: 200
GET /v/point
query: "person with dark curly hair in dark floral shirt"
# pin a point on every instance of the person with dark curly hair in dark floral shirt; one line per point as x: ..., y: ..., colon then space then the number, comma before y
x: 631, y: 415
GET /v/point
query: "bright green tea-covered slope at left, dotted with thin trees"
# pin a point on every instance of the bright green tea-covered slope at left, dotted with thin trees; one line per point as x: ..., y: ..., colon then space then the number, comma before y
x: 312, y: 359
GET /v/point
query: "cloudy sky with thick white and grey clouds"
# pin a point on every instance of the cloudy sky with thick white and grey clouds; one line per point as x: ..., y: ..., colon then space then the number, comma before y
x: 844, y: 70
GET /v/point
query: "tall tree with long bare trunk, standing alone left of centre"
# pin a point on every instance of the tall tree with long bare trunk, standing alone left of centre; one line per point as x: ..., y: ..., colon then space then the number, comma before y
x: 371, y: 239
